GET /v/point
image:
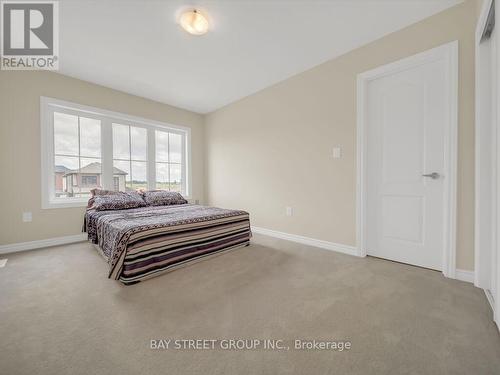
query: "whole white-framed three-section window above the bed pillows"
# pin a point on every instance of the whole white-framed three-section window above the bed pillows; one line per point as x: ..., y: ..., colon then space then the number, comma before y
x: 85, y: 148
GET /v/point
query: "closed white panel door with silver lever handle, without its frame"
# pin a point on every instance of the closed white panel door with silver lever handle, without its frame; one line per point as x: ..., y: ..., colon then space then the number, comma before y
x: 406, y: 114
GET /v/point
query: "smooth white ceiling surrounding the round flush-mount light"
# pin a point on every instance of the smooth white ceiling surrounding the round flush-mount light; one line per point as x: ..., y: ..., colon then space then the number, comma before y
x: 136, y: 46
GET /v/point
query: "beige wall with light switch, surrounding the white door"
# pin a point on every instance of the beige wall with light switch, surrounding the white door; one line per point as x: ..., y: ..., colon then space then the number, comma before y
x: 273, y: 149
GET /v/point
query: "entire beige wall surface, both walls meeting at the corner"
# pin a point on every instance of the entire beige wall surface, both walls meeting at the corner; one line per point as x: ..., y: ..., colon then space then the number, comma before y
x: 265, y: 152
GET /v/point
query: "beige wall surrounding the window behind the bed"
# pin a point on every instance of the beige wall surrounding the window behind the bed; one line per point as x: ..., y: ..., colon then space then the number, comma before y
x: 20, y: 147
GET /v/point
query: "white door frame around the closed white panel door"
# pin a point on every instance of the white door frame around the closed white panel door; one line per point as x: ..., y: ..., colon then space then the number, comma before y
x: 449, y: 52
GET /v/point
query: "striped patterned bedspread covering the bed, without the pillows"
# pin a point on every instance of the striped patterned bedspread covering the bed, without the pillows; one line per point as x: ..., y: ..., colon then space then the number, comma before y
x: 141, y: 243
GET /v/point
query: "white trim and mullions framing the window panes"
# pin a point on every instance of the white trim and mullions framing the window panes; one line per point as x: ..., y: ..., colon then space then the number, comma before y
x: 47, y: 105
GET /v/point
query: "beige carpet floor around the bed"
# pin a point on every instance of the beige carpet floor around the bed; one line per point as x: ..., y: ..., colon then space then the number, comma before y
x: 59, y: 314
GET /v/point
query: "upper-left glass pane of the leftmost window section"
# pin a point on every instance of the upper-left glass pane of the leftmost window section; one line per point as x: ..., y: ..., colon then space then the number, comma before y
x: 65, y: 134
